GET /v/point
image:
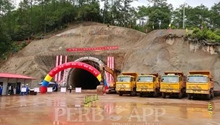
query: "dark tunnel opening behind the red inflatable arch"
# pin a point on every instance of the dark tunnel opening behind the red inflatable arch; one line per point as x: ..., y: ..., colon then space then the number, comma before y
x: 82, y: 78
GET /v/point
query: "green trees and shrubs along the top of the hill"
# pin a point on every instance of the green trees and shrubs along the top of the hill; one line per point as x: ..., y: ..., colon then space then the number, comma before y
x: 33, y: 19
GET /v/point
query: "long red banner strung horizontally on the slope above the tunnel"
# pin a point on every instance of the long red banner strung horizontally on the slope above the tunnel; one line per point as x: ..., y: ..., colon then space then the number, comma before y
x: 92, y: 49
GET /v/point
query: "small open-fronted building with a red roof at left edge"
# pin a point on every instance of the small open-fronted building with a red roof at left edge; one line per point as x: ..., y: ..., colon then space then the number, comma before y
x: 11, y: 83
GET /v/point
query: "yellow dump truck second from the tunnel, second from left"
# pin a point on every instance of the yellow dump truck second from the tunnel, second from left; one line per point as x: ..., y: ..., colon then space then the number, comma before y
x: 148, y: 84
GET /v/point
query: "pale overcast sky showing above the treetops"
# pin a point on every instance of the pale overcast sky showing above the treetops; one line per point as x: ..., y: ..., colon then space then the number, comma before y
x: 175, y: 3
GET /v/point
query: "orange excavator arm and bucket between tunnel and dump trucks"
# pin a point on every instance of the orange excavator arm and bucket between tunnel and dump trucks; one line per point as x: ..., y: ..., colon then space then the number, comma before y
x: 114, y: 73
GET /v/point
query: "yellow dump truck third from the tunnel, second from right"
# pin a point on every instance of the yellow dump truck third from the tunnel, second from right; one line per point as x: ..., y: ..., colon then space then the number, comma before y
x: 173, y: 83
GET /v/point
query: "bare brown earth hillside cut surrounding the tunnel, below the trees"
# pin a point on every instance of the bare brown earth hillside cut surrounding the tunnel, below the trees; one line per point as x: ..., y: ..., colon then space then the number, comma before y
x: 144, y: 53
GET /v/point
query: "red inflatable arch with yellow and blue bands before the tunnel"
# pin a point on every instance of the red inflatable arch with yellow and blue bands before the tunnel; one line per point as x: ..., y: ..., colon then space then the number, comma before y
x: 54, y: 71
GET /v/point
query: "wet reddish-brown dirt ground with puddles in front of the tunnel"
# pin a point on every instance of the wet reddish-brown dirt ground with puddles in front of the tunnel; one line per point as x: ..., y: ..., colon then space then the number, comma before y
x: 68, y: 109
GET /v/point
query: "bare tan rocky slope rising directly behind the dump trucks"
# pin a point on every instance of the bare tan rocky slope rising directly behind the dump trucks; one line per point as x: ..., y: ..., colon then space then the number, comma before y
x: 174, y: 55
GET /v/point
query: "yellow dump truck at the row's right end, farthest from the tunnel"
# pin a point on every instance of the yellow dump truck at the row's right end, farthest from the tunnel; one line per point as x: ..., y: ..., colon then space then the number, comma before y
x: 200, y: 83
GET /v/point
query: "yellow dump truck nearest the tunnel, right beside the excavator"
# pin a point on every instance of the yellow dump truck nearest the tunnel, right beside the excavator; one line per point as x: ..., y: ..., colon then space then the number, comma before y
x: 126, y: 83
